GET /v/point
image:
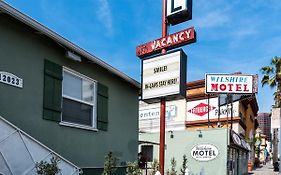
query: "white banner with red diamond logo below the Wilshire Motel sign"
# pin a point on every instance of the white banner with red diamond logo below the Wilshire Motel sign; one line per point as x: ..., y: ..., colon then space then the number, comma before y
x: 198, y: 110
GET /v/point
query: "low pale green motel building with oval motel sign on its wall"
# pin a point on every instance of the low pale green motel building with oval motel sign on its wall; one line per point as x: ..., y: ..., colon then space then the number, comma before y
x: 204, y: 150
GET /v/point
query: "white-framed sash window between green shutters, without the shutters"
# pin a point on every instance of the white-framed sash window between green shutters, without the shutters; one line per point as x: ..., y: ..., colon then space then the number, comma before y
x: 79, y: 99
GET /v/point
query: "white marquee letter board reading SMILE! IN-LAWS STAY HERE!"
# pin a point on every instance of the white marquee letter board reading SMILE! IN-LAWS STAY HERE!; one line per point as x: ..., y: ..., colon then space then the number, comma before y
x: 163, y: 75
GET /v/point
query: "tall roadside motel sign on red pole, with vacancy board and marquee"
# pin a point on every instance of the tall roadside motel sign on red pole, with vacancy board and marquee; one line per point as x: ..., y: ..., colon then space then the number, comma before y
x: 164, y: 75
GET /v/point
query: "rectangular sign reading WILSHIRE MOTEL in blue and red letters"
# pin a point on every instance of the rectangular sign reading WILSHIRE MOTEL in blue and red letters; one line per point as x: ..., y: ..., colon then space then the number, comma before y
x: 227, y: 83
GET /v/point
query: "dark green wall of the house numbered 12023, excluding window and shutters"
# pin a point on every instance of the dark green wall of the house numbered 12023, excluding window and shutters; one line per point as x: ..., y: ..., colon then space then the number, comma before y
x: 22, y: 53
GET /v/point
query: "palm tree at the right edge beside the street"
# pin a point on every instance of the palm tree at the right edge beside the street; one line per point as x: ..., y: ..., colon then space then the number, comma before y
x: 272, y: 78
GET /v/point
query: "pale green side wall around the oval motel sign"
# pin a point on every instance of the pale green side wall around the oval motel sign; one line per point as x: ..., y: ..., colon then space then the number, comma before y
x: 182, y: 143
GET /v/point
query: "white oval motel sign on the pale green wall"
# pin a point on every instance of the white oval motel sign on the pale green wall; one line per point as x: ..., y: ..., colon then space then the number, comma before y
x: 204, y: 152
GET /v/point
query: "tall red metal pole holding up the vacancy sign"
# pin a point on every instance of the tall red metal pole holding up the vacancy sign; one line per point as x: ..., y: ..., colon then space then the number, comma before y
x: 163, y: 102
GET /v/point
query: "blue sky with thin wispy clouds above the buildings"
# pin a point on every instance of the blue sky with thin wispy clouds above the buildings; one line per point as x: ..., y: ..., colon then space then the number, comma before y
x: 232, y: 36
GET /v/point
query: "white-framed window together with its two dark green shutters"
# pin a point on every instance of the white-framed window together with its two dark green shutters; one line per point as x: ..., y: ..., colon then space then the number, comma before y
x: 74, y: 99
